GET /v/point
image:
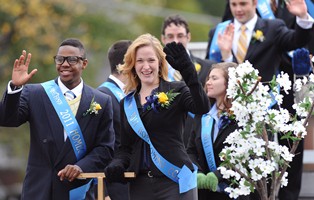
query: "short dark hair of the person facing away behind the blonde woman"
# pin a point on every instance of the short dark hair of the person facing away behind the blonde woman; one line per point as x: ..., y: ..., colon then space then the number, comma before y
x: 116, y: 54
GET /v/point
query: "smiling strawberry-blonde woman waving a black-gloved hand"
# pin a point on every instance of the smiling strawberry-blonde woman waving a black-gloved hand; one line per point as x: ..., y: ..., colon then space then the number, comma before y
x: 152, y: 118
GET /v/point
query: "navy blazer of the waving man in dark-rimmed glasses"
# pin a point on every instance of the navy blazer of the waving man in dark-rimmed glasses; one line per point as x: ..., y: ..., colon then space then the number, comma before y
x: 48, y: 152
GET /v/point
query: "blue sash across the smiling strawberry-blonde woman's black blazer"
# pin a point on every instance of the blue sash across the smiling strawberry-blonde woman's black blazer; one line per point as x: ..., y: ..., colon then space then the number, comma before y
x: 183, y: 176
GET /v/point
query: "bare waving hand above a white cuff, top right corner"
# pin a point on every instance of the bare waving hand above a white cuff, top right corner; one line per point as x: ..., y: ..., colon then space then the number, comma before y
x: 297, y: 8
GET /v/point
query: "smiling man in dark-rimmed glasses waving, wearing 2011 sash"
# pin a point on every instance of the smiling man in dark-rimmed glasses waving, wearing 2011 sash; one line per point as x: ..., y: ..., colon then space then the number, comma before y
x: 69, y: 134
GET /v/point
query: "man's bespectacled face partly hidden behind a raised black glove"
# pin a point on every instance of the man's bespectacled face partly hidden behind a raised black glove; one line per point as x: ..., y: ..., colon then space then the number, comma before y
x: 176, y: 34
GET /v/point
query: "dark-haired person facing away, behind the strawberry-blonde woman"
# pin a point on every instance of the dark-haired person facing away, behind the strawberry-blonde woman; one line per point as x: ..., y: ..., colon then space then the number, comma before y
x: 113, y: 86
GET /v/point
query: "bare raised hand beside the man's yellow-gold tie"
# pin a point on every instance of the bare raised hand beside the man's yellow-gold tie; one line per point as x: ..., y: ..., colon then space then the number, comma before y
x: 224, y: 41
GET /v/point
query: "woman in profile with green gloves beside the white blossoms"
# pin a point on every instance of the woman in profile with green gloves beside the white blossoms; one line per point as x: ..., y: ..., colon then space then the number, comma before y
x: 215, y: 126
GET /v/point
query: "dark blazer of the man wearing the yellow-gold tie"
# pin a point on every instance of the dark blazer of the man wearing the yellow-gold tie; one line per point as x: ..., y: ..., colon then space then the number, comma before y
x: 266, y: 56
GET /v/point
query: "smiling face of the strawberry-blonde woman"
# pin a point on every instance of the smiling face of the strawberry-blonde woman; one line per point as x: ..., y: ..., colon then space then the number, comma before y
x: 147, y: 65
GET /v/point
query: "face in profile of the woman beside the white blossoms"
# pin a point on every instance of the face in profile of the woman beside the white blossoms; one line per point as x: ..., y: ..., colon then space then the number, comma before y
x: 216, y: 84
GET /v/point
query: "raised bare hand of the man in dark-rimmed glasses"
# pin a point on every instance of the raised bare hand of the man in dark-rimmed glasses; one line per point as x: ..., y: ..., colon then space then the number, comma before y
x: 20, y: 74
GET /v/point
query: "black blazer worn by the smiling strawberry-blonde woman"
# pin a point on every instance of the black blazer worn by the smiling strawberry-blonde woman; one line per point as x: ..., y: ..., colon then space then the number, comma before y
x: 164, y: 128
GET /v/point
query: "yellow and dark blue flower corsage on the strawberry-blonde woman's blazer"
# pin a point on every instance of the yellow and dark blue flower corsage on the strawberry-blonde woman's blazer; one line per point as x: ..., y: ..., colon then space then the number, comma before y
x: 159, y: 100
